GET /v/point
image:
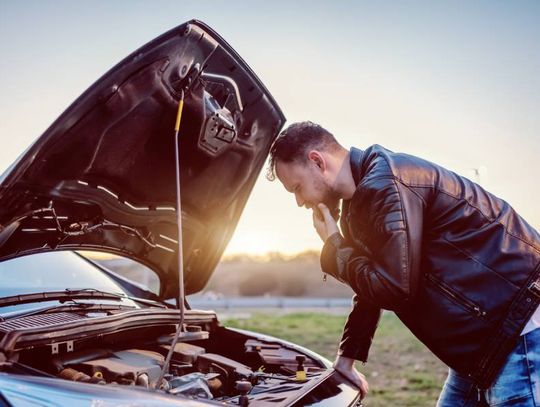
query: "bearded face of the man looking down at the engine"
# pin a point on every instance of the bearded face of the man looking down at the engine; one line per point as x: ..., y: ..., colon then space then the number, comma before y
x: 308, y: 183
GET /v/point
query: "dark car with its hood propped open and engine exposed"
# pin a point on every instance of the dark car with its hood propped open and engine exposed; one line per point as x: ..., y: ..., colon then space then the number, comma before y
x: 103, y: 178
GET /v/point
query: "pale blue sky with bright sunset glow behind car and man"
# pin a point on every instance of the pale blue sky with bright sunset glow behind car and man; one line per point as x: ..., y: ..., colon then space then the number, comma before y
x: 454, y: 82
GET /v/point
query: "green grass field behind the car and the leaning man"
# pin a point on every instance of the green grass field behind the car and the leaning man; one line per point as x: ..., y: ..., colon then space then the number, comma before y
x: 400, y: 370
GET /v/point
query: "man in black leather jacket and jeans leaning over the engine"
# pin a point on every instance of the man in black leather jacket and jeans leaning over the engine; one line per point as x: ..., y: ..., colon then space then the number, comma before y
x: 456, y: 264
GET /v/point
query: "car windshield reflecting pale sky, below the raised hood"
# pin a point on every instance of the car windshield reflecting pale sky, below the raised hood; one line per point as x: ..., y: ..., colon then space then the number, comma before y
x: 53, y: 271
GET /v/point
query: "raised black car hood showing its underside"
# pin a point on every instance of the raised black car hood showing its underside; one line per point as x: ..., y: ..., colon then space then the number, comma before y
x: 102, y: 177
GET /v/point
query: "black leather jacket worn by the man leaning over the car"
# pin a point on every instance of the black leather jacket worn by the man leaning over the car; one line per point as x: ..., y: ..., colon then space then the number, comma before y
x: 457, y: 265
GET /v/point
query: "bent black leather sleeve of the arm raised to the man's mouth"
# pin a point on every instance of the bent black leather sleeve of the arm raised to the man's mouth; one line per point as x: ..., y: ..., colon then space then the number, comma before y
x: 383, y: 265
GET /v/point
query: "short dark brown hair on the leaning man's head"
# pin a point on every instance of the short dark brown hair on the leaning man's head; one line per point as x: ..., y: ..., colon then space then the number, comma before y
x: 294, y: 143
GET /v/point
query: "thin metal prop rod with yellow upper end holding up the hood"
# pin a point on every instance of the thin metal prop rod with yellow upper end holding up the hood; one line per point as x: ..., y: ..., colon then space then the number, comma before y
x: 181, y: 303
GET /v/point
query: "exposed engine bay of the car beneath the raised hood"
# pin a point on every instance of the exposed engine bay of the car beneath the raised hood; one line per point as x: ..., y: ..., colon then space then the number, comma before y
x: 210, y: 363
